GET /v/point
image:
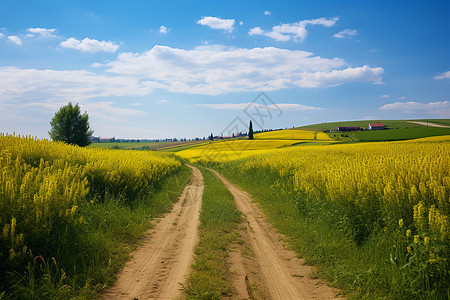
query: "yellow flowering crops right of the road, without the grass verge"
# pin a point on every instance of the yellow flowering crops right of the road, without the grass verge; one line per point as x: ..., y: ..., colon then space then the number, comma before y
x: 398, y: 189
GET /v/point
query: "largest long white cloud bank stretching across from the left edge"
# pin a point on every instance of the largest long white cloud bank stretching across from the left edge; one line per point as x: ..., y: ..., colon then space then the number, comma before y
x: 208, y: 70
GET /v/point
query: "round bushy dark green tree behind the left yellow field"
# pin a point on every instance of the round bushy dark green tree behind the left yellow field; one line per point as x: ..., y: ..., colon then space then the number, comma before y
x: 70, y: 126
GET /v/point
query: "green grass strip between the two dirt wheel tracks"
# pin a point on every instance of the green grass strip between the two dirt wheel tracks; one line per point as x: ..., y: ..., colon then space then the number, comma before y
x: 218, y: 221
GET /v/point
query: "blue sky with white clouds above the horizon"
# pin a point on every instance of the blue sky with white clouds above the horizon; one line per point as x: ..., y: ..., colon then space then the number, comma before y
x: 186, y: 69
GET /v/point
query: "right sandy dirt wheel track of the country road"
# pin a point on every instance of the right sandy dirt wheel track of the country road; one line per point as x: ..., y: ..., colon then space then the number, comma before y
x: 273, y: 272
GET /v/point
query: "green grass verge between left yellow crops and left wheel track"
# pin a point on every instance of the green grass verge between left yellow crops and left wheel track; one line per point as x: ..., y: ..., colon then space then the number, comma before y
x: 88, y: 258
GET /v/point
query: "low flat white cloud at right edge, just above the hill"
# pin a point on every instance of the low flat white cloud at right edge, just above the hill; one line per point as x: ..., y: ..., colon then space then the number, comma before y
x: 440, y: 108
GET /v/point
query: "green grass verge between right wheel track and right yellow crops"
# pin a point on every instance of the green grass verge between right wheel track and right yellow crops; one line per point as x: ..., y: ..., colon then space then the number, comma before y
x: 319, y: 232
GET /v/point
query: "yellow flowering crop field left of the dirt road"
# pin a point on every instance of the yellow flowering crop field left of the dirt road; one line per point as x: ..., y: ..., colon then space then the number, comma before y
x: 44, y: 184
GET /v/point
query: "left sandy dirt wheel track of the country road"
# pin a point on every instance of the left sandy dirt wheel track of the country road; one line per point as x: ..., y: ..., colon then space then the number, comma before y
x: 158, y: 267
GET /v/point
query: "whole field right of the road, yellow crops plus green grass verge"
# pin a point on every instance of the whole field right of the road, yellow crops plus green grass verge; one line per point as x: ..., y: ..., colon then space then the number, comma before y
x: 372, y: 216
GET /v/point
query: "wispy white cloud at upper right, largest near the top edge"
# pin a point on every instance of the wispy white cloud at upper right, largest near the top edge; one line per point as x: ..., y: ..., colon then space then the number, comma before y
x: 293, y: 31
